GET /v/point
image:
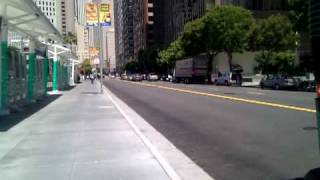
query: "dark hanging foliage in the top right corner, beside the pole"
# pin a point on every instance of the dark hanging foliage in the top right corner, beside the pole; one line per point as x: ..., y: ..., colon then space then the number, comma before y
x: 298, y: 15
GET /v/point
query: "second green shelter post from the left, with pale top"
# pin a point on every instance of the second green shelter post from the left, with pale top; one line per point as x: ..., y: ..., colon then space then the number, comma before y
x: 31, y: 71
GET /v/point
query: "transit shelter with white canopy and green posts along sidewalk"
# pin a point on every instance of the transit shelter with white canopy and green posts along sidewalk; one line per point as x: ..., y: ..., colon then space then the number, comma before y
x: 24, y: 75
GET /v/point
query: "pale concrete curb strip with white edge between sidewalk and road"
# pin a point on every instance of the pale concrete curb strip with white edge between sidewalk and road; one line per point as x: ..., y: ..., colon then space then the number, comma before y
x: 174, y: 162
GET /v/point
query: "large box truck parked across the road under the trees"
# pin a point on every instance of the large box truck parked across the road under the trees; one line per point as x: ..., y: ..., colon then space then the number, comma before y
x: 191, y: 70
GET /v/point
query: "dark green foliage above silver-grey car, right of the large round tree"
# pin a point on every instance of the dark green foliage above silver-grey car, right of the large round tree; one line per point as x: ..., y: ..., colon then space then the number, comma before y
x: 274, y: 38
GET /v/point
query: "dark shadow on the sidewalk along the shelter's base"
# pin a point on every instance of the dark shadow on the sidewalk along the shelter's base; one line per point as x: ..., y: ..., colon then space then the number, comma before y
x: 9, y: 121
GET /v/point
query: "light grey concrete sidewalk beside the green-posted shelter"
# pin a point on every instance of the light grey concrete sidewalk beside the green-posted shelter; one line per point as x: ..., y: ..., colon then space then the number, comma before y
x: 81, y: 135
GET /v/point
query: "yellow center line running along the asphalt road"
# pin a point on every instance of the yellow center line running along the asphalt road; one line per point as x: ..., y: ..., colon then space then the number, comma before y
x: 251, y: 101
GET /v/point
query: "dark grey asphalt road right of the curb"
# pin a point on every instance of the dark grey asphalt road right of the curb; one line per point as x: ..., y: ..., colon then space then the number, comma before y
x: 231, y: 139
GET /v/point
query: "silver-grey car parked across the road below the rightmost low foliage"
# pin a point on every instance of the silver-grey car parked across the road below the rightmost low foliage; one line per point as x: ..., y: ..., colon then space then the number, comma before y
x: 279, y: 82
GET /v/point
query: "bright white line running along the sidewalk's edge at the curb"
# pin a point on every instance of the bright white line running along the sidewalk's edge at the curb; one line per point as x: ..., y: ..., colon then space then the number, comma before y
x: 165, y: 165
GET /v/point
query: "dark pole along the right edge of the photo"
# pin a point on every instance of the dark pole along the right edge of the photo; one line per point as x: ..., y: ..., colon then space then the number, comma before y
x: 315, y: 43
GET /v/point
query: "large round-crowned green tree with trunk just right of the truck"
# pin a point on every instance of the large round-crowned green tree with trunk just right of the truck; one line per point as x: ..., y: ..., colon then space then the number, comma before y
x: 228, y: 29
